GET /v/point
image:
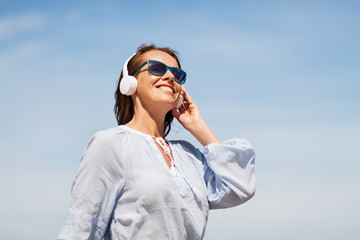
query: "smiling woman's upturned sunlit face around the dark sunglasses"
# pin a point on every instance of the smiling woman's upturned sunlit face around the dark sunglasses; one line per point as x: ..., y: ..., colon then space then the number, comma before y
x: 156, y: 90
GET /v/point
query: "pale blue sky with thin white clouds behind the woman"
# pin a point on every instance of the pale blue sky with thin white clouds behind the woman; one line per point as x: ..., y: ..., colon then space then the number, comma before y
x: 283, y: 74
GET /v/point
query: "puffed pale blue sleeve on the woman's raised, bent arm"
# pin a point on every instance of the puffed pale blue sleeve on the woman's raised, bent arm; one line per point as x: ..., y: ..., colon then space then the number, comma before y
x: 229, y: 173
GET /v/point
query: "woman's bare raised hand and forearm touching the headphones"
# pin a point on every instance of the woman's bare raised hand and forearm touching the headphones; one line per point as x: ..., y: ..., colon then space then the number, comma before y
x: 191, y: 119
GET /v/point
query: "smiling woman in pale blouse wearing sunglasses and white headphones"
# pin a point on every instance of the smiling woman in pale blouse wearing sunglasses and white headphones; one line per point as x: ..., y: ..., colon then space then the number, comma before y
x: 134, y: 184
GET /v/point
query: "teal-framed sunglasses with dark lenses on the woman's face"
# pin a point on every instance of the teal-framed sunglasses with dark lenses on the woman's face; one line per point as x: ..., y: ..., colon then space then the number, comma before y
x: 157, y: 68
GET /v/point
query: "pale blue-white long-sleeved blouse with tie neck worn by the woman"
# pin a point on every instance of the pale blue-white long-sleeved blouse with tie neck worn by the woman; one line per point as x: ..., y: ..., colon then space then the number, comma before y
x: 125, y: 190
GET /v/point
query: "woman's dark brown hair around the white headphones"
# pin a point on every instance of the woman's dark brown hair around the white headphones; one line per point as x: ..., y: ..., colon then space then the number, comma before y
x: 124, y: 106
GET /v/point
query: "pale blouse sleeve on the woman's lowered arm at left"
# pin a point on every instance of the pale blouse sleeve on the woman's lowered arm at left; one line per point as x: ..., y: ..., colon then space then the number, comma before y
x: 95, y: 190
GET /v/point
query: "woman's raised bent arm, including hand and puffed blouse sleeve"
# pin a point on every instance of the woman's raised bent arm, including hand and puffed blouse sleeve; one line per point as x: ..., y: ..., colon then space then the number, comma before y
x: 228, y: 167
